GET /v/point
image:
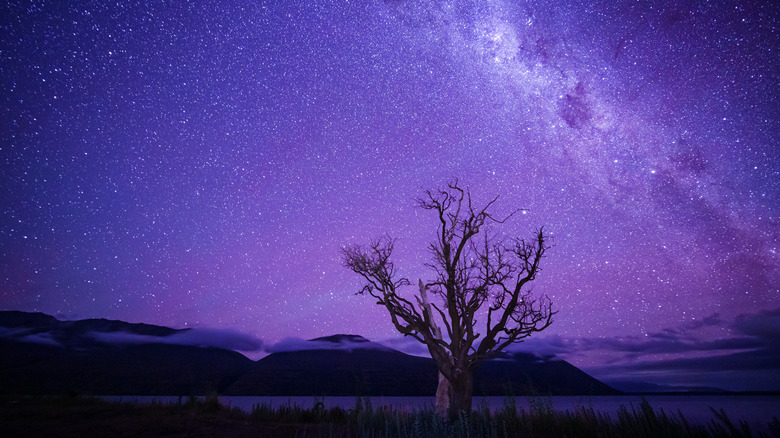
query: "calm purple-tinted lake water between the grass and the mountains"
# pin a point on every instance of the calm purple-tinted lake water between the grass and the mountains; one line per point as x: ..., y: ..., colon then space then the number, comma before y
x: 756, y: 410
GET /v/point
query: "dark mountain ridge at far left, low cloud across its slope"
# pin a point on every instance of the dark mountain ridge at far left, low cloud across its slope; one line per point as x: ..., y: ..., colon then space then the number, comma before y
x: 42, y: 355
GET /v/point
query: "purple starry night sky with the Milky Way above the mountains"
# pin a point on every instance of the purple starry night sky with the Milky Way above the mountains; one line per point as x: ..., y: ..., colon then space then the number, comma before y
x: 200, y: 164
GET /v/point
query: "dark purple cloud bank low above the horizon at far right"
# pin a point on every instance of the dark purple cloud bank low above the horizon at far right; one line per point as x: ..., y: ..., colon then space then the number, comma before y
x: 750, y: 359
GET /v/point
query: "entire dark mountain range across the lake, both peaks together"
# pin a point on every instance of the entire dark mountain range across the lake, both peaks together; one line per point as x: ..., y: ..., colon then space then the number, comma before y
x: 40, y: 354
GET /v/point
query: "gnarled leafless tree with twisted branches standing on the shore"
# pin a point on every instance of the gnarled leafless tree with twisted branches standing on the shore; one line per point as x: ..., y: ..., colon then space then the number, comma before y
x: 473, y: 277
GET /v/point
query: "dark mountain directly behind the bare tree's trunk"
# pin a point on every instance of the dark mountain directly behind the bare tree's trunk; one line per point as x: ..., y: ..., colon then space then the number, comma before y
x: 346, y: 369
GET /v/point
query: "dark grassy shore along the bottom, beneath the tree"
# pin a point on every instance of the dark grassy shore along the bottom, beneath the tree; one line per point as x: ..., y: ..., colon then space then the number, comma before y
x: 84, y: 417
